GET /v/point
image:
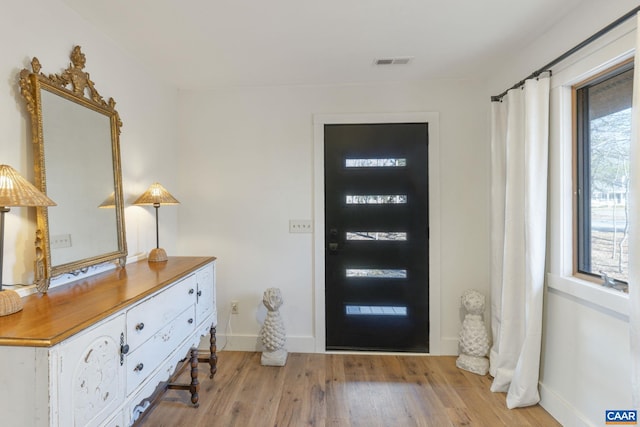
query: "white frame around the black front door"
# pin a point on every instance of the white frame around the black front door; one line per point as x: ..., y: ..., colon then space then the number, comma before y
x: 434, y: 214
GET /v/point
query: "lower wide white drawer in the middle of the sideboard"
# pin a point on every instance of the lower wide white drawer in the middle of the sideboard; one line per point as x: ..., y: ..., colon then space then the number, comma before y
x: 142, y: 362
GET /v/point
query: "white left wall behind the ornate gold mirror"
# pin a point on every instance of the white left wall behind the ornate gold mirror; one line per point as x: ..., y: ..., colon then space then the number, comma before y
x: 49, y: 30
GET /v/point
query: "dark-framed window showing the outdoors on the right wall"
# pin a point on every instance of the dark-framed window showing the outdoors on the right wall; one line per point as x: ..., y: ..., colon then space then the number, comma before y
x: 602, y: 111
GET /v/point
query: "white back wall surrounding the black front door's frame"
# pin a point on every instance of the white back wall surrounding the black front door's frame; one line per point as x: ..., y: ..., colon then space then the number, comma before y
x: 247, y: 168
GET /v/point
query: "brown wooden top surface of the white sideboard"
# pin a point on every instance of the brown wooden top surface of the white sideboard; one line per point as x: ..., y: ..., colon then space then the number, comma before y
x: 48, y: 319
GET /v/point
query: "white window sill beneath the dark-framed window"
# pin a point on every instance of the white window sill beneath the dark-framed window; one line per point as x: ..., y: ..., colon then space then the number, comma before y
x: 592, y: 294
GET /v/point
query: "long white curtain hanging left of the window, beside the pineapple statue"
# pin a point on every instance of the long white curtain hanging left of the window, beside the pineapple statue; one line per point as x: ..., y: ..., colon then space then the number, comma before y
x: 519, y: 145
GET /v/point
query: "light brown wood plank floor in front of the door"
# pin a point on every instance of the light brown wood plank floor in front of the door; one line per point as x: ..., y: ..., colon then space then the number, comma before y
x: 342, y: 390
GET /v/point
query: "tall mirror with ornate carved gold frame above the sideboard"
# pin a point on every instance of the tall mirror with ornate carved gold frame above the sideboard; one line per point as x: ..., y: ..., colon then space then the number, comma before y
x: 77, y: 163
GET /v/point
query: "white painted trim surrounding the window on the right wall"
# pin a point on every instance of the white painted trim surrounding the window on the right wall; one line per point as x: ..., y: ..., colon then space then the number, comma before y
x: 613, y: 48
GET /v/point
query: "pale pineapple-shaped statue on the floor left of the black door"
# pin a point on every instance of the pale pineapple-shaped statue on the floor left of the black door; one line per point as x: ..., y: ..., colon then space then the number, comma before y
x: 272, y: 333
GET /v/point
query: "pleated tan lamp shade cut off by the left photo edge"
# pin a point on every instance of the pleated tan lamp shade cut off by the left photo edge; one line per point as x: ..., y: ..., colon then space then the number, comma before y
x: 17, y: 191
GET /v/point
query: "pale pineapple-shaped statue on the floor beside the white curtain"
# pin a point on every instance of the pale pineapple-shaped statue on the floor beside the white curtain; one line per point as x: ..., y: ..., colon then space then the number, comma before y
x: 474, y: 340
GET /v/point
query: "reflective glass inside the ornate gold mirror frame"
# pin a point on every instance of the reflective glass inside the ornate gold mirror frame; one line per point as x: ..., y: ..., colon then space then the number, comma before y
x: 80, y: 228
